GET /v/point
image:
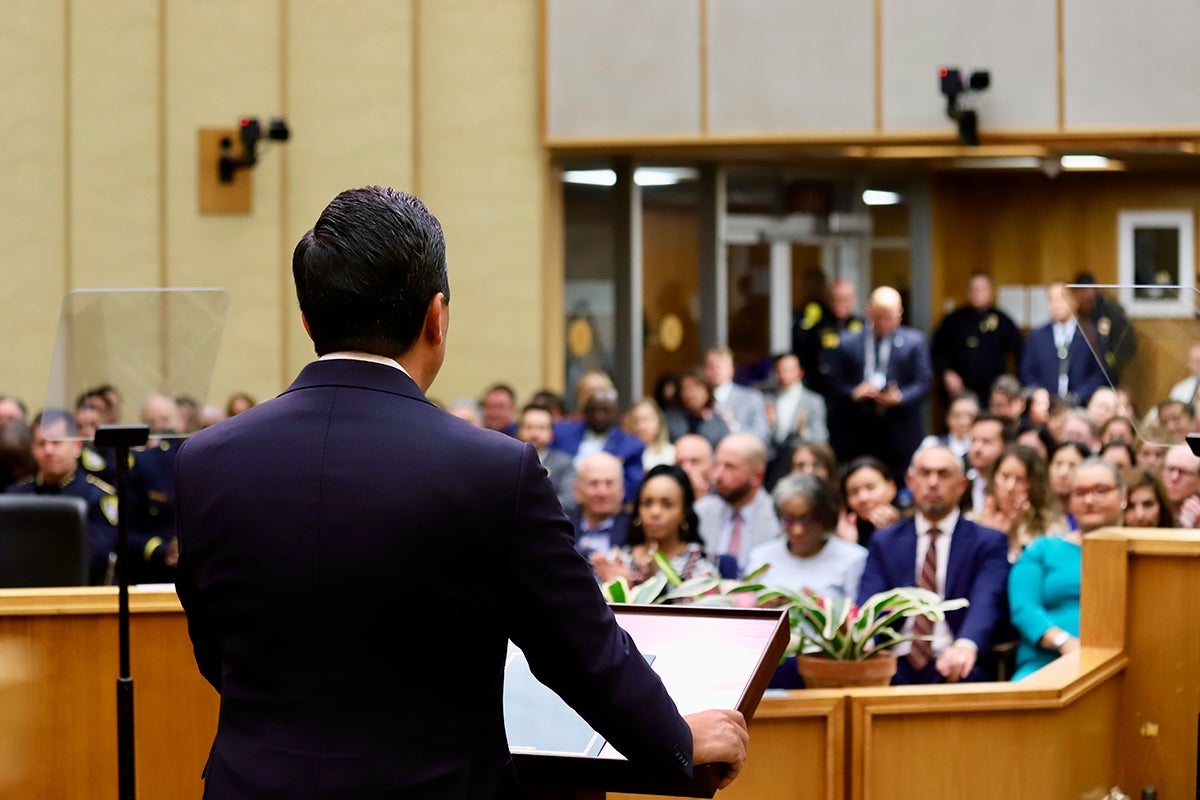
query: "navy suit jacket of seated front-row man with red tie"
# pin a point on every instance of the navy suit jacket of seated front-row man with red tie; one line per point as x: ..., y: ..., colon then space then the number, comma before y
x: 977, y: 570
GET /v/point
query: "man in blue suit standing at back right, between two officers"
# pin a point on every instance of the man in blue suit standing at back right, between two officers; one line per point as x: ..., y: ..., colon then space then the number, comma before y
x: 1058, y: 357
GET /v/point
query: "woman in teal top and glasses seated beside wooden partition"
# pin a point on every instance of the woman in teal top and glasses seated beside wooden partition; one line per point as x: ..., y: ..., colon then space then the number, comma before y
x: 1043, y: 588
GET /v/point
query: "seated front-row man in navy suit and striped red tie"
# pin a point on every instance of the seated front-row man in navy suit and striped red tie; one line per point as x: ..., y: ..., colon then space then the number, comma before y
x: 971, y: 562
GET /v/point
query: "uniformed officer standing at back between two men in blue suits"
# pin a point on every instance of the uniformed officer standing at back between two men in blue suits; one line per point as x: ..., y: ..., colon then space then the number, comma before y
x: 974, y: 345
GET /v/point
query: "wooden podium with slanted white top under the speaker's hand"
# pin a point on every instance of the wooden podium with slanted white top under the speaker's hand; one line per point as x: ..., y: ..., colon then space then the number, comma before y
x: 707, y: 659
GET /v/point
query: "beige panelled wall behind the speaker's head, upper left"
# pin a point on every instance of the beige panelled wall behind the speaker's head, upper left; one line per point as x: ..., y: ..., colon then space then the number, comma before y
x: 100, y: 140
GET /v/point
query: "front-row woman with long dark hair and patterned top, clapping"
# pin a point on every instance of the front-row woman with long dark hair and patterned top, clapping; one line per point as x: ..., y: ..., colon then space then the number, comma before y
x: 665, y: 524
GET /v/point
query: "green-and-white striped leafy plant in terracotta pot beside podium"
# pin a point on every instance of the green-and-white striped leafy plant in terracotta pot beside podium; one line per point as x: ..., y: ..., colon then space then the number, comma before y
x: 838, y: 643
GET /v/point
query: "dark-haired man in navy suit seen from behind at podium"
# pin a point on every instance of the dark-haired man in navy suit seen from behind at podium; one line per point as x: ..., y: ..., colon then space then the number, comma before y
x: 353, y: 561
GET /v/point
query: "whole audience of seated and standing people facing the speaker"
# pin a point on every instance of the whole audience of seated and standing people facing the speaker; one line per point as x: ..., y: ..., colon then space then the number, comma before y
x: 820, y: 471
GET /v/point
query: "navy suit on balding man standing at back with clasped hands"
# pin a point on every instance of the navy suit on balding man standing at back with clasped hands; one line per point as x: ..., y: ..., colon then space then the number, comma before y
x: 860, y: 429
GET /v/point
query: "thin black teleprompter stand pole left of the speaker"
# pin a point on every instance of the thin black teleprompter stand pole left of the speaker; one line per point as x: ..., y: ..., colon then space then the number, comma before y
x: 122, y: 438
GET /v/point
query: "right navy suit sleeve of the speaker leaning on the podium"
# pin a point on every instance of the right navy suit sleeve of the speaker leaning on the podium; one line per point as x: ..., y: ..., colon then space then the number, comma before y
x: 573, y: 642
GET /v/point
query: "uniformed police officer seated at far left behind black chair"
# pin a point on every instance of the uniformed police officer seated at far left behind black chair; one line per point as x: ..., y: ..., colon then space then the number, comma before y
x: 58, y: 473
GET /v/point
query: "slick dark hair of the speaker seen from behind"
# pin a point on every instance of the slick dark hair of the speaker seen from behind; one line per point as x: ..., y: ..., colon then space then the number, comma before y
x: 367, y: 273
